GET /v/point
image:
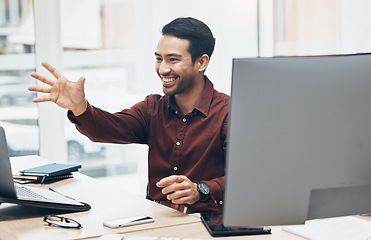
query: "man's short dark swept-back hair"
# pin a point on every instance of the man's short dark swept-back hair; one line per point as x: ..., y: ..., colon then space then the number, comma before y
x: 201, y: 39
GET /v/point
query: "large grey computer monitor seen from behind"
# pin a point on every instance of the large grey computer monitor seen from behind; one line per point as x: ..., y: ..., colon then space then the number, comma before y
x: 299, y: 139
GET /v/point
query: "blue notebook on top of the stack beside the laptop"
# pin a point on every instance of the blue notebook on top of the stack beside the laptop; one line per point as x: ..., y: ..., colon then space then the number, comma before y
x: 51, y: 169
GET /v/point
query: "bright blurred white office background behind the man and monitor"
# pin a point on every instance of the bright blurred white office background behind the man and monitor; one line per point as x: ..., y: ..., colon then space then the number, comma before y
x: 111, y: 43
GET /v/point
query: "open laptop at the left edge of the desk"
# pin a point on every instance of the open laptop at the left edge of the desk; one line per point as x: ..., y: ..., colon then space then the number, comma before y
x: 11, y: 192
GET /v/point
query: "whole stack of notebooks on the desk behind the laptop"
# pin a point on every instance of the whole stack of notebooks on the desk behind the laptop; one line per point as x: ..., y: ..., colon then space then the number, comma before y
x: 48, y: 172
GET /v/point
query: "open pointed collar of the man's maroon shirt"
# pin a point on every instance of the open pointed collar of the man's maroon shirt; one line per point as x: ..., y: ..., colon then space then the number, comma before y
x: 203, y: 104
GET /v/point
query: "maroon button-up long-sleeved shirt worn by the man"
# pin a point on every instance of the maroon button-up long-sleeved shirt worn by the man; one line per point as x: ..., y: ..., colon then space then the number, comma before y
x: 193, y: 145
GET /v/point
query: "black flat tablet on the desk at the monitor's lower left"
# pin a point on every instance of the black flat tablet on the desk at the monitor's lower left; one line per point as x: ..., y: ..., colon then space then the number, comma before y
x: 213, y: 222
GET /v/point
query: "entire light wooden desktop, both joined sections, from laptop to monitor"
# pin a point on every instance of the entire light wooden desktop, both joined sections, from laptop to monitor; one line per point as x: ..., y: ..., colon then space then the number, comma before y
x: 20, y: 222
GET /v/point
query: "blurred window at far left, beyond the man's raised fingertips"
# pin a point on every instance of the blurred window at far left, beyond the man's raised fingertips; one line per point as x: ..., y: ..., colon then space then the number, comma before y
x: 18, y: 115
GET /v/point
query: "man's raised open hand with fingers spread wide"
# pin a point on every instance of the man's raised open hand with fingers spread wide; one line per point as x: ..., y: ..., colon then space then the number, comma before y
x: 66, y: 94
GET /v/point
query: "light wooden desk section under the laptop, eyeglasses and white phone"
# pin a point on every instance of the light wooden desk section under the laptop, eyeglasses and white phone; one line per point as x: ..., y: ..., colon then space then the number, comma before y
x: 21, y: 222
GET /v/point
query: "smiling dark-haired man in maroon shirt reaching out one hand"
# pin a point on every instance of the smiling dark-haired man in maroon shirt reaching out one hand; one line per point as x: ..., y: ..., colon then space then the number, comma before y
x: 185, y: 129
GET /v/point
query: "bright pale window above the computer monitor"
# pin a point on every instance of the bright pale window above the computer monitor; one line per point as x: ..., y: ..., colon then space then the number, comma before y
x: 321, y: 27
